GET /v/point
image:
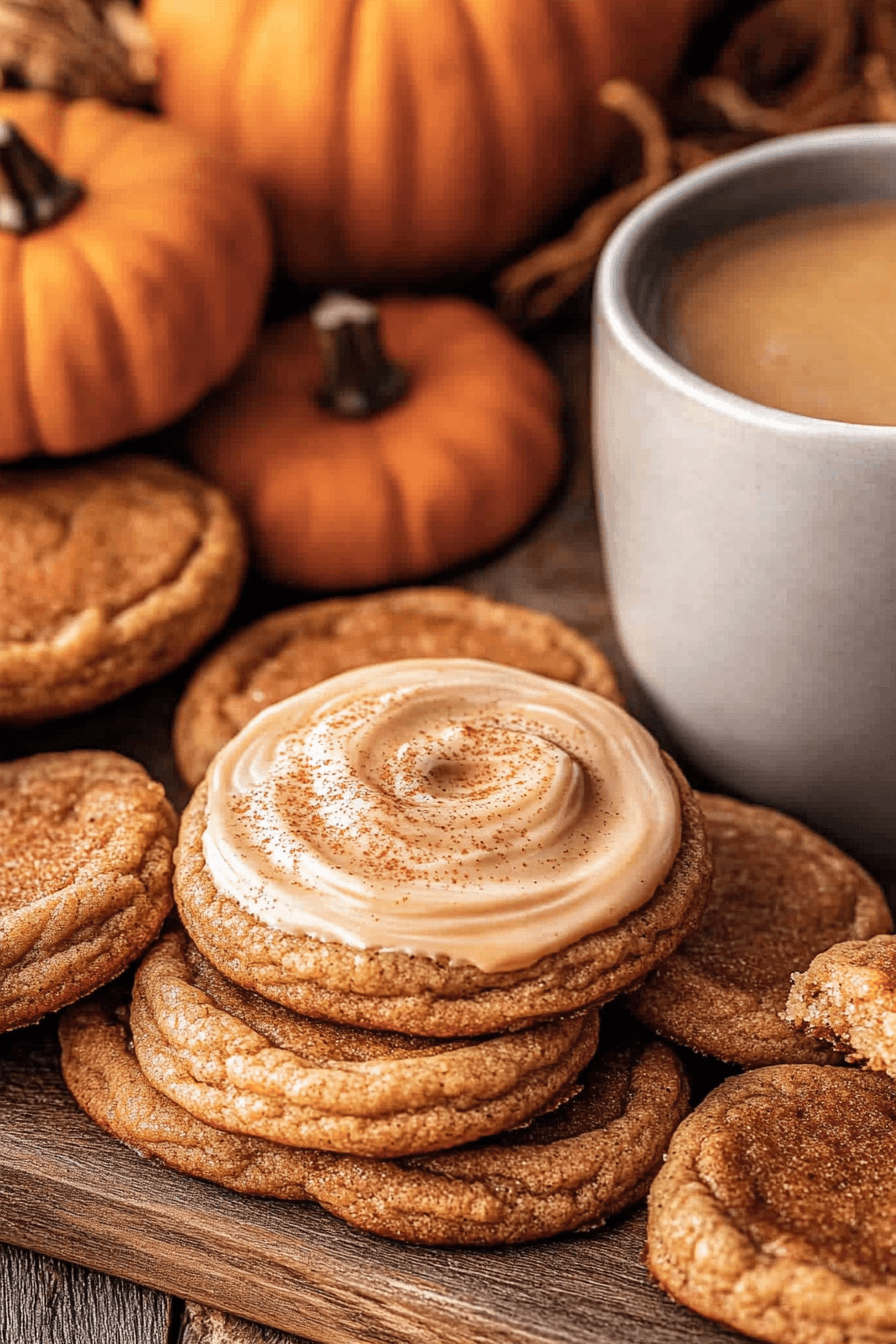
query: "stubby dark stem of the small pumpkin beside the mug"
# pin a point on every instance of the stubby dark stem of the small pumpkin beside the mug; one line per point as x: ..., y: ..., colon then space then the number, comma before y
x: 359, y: 378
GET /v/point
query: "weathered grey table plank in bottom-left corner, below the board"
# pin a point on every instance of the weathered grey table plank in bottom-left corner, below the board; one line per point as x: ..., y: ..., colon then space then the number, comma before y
x: 46, y: 1302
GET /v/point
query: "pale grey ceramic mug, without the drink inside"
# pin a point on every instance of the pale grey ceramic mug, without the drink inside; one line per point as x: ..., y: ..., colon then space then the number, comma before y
x: 752, y: 553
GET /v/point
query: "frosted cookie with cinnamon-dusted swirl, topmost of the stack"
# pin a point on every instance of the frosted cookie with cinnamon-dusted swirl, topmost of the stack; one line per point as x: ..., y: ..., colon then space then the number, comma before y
x: 441, y: 846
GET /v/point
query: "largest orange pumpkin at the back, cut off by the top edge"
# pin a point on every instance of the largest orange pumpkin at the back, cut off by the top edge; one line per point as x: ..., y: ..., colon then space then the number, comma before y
x: 406, y: 140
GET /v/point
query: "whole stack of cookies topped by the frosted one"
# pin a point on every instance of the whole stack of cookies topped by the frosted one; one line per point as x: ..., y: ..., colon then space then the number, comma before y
x: 409, y: 890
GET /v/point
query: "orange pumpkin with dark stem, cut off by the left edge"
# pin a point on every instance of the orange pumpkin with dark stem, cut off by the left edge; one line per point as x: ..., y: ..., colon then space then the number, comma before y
x: 134, y: 267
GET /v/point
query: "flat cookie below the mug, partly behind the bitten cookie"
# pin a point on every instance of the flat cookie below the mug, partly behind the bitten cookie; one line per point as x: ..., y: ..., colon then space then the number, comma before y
x: 780, y: 896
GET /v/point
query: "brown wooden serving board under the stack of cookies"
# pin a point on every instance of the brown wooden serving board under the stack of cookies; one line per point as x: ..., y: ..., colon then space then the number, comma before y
x: 71, y: 1191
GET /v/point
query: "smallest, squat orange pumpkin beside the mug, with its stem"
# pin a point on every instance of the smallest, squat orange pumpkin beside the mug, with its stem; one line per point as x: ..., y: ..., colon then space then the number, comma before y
x: 396, y: 471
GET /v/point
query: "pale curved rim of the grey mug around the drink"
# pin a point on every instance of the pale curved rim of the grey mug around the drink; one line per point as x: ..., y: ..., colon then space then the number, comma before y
x: 611, y: 290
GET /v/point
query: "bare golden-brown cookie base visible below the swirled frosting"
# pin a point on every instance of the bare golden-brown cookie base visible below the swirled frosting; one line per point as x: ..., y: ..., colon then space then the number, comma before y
x: 396, y: 991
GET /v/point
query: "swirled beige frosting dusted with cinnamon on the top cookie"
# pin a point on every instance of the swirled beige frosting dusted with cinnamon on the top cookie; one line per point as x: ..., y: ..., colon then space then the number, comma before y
x: 444, y: 808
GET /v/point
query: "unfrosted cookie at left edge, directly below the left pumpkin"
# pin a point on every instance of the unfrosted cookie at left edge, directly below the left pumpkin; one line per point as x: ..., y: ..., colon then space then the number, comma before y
x: 112, y: 572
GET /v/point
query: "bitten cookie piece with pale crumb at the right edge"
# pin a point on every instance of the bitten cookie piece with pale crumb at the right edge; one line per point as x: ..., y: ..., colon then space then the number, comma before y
x: 848, y: 998
